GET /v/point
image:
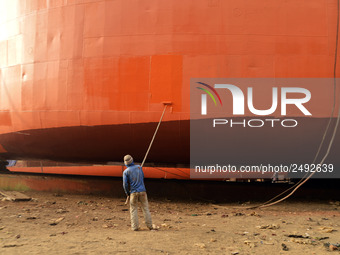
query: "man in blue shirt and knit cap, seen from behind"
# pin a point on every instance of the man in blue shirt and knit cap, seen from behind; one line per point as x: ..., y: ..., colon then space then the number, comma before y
x: 133, y: 184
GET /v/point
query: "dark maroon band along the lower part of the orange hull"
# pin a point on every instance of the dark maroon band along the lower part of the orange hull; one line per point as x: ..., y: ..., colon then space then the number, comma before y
x: 109, y: 143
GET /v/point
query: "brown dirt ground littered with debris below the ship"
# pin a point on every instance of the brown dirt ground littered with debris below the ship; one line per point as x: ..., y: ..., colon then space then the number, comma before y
x: 75, y: 224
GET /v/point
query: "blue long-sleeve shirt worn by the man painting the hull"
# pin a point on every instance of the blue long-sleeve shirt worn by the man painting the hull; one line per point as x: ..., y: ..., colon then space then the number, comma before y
x: 134, y: 177
